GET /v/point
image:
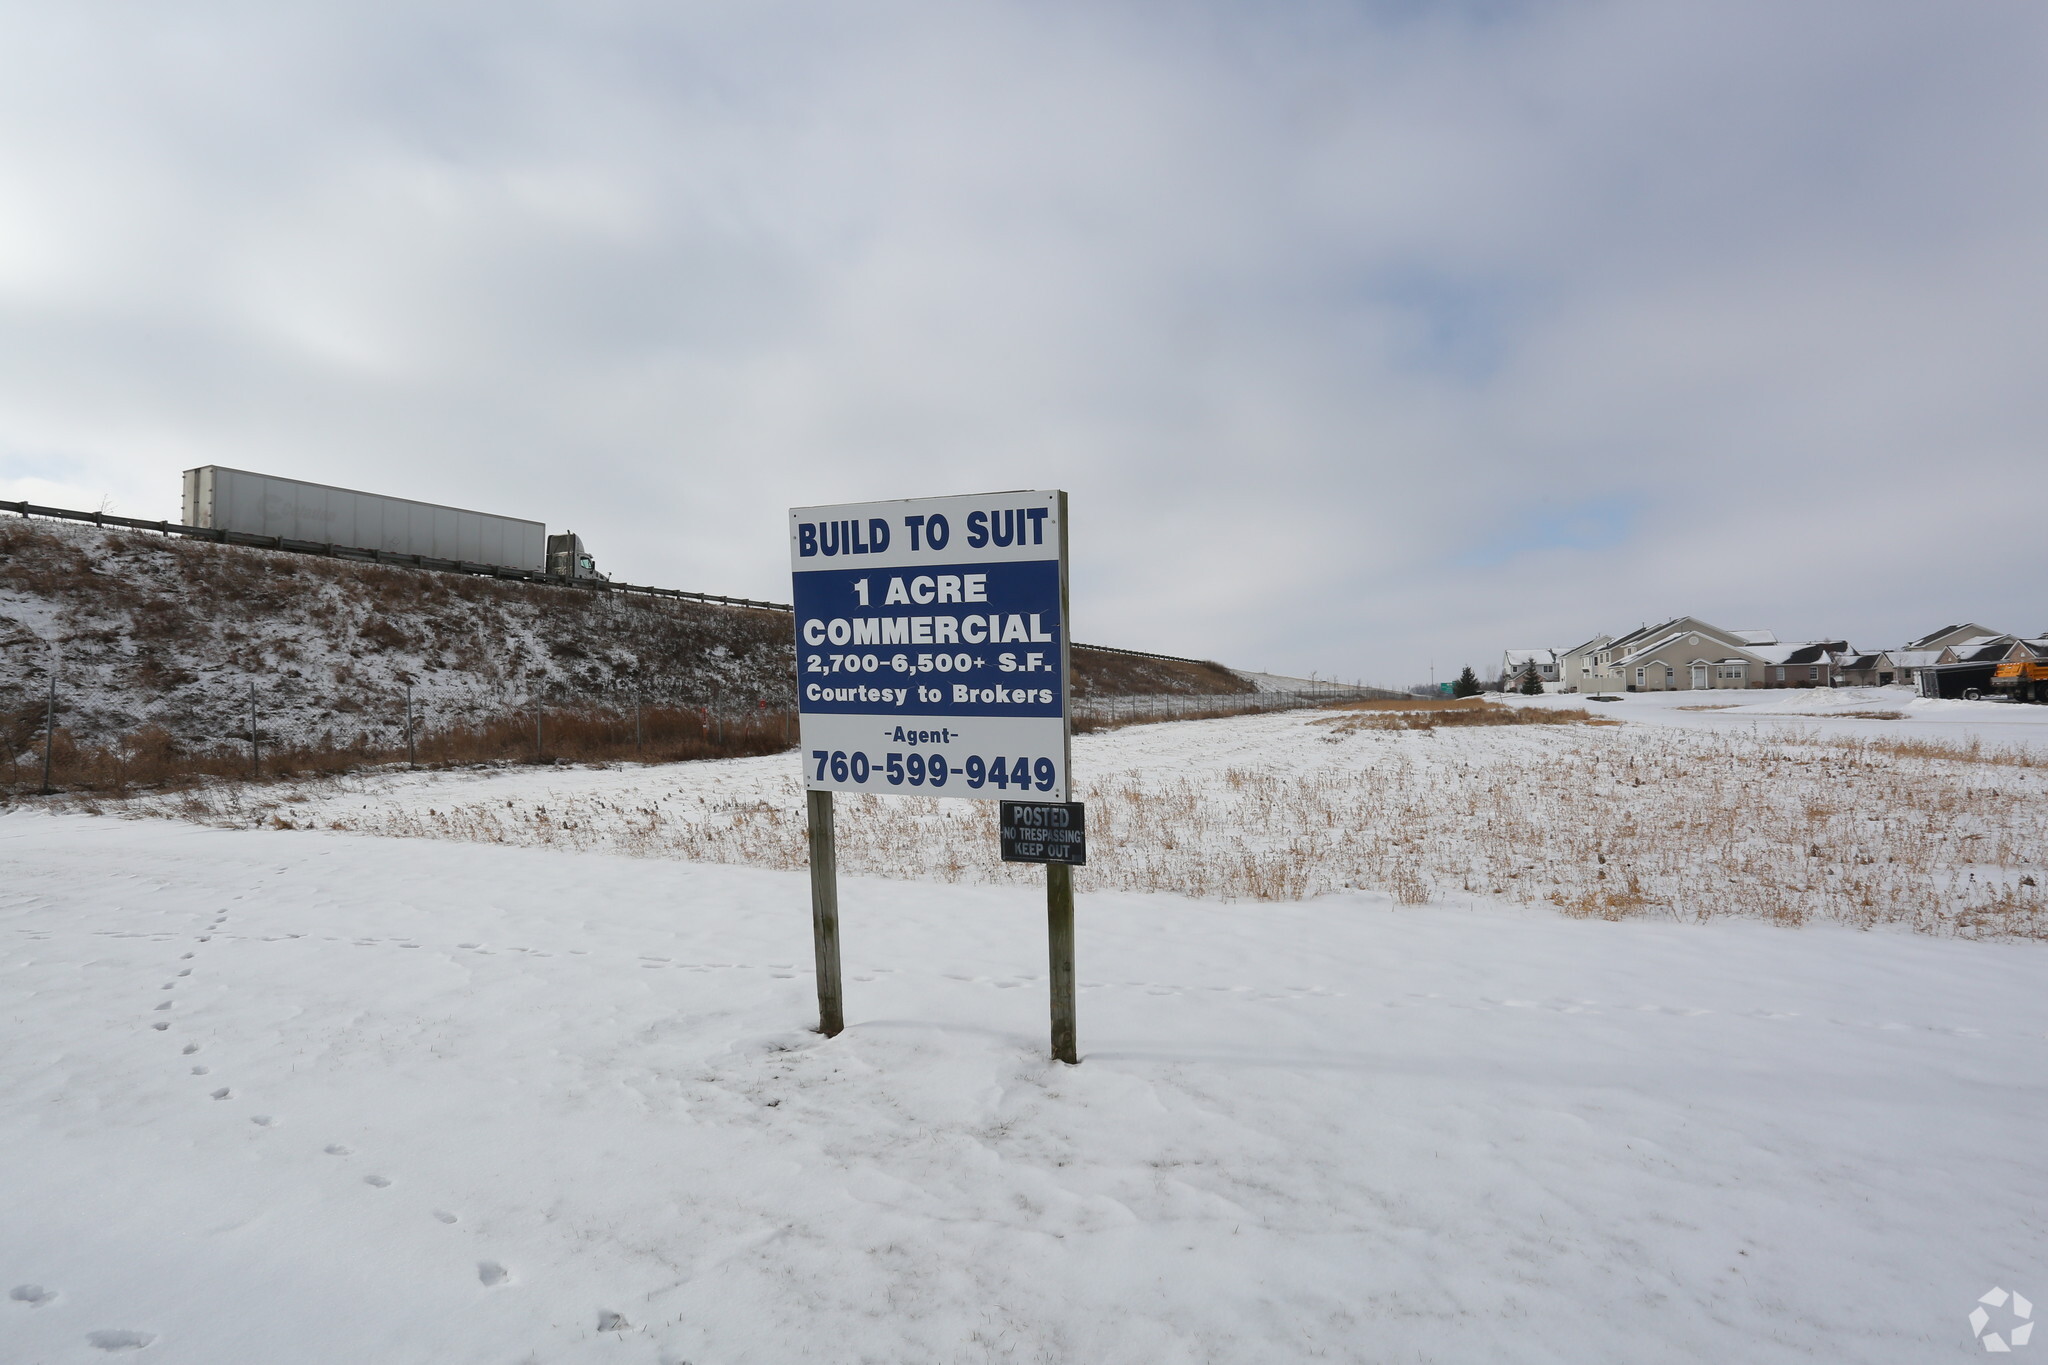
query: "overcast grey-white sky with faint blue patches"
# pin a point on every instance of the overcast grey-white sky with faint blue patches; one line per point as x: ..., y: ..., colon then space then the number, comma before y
x: 1361, y: 335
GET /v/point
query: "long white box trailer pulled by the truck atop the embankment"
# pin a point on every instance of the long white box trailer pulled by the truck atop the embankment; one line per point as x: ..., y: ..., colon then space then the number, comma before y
x: 237, y: 500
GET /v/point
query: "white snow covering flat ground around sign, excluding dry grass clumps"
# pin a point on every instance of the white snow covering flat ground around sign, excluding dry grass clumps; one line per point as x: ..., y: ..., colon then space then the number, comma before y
x: 318, y: 1096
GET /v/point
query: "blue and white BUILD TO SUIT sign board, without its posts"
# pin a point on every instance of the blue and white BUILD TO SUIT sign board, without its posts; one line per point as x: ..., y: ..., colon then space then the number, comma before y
x: 933, y: 646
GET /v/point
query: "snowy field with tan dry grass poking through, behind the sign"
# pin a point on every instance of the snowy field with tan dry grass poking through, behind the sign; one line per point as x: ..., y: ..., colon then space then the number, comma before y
x: 1693, y: 816
